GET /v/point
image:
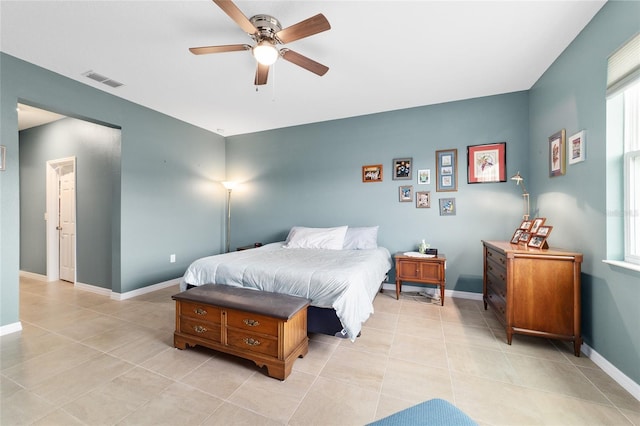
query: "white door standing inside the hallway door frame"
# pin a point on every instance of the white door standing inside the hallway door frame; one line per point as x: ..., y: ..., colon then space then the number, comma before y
x: 67, y: 224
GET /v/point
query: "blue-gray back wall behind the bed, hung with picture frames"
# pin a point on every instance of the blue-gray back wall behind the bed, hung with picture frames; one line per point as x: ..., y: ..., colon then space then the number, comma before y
x: 311, y: 175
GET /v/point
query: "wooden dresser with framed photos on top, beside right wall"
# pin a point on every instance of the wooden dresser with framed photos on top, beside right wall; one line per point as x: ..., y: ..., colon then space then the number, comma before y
x: 534, y: 291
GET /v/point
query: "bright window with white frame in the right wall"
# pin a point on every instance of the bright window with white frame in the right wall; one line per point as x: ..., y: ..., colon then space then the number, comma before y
x: 623, y: 150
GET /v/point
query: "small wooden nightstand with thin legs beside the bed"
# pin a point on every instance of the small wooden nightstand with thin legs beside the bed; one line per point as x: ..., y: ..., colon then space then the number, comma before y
x: 426, y: 270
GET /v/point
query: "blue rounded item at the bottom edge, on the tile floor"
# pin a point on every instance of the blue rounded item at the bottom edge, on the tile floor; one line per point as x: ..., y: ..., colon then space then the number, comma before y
x: 432, y: 412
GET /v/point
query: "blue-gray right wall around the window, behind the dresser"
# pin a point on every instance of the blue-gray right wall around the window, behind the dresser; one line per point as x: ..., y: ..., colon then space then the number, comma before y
x: 571, y: 96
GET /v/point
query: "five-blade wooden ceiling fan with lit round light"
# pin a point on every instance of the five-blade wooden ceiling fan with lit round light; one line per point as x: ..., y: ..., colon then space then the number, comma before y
x: 266, y: 32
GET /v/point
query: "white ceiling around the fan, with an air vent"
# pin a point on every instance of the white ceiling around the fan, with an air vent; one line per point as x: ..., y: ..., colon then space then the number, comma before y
x: 382, y: 55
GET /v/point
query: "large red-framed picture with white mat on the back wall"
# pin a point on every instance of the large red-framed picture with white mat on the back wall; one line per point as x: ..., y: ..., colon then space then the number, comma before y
x: 487, y: 163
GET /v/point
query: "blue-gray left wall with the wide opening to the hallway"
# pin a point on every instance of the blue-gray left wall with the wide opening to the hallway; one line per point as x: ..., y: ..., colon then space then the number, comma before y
x: 169, y: 198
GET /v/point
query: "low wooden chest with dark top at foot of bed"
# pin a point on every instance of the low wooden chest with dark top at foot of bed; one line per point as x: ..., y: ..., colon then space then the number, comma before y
x: 267, y: 328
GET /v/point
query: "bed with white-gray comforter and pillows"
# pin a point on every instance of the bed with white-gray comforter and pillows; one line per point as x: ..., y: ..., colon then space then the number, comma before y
x: 340, y: 278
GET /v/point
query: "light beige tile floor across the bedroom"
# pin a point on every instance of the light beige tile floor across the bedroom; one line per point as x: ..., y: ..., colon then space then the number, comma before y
x: 83, y: 359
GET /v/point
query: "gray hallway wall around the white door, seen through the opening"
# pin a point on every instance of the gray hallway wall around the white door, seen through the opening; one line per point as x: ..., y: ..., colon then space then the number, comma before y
x: 97, y: 152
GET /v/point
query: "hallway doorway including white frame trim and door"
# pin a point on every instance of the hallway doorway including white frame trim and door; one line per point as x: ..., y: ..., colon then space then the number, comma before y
x: 61, y: 219
